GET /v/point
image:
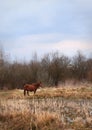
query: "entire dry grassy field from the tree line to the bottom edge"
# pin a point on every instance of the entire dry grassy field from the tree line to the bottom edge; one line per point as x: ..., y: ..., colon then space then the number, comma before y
x: 62, y: 108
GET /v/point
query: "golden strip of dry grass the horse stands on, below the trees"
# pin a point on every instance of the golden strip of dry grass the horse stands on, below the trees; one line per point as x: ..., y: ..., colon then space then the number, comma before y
x: 68, y: 92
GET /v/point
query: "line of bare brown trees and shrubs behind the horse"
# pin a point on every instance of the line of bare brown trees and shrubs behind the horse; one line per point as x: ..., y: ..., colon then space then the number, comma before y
x: 52, y: 69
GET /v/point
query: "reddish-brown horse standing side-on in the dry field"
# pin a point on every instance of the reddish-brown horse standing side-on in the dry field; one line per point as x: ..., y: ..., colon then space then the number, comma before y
x: 31, y: 87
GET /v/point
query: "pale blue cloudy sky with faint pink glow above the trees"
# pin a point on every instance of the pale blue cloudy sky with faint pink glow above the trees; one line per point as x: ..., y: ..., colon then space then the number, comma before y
x: 42, y: 26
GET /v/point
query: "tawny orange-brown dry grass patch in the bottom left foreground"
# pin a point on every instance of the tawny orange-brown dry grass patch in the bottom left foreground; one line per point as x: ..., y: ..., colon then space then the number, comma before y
x: 28, y: 121
